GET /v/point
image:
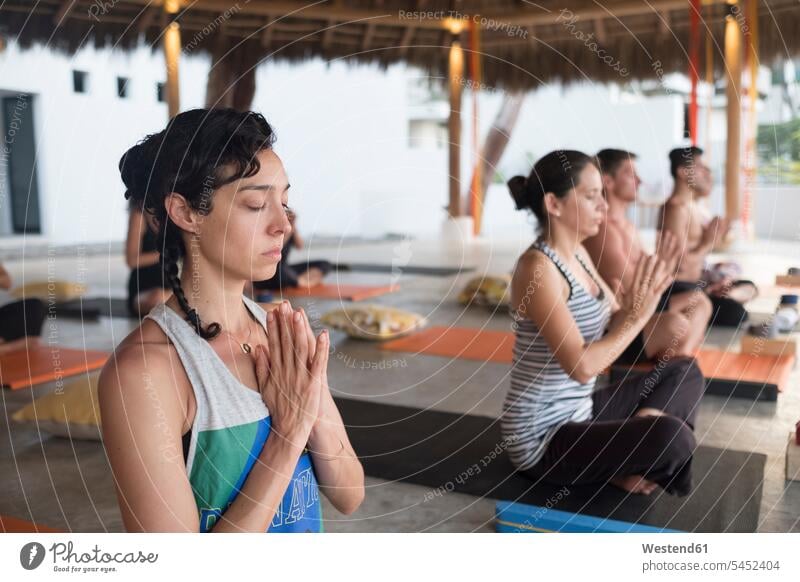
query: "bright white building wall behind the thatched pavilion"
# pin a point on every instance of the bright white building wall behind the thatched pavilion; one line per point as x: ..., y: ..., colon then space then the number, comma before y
x: 342, y: 133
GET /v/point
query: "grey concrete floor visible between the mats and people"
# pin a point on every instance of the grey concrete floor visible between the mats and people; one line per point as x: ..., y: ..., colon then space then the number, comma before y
x: 68, y: 484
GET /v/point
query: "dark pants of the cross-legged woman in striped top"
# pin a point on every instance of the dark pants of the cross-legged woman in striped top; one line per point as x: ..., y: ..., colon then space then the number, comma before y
x: 615, y: 443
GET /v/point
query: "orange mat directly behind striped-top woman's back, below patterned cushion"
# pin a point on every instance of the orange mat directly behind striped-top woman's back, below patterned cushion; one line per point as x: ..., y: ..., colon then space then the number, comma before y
x: 457, y: 342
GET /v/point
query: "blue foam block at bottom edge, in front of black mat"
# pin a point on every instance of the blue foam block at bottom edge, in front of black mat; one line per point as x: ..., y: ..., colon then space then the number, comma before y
x: 521, y: 518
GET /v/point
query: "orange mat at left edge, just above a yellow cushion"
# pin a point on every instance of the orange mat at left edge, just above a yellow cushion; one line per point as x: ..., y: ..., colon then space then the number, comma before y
x: 27, y: 367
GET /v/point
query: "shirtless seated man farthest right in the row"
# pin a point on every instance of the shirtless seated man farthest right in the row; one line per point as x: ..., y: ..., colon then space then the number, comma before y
x: 696, y: 233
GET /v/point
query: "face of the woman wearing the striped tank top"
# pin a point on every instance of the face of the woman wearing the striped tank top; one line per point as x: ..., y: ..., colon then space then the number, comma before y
x: 584, y: 208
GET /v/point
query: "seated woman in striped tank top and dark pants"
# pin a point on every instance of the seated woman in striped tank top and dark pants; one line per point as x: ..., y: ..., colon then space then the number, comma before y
x: 637, y: 434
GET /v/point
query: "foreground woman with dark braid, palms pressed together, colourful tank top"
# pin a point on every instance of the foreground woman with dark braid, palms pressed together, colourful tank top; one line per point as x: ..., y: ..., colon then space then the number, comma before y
x: 216, y: 414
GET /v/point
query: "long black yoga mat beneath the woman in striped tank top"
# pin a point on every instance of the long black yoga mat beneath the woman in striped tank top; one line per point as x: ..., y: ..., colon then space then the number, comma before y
x: 449, y: 452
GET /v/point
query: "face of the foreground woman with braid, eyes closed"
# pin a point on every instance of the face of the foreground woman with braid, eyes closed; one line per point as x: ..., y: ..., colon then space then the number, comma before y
x: 246, y: 228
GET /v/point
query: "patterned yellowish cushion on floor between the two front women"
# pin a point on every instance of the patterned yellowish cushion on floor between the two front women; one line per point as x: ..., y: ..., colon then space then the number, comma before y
x: 373, y: 322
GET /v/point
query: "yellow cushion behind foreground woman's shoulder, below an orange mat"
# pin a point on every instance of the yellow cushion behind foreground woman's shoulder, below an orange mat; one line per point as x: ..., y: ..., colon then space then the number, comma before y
x: 72, y: 413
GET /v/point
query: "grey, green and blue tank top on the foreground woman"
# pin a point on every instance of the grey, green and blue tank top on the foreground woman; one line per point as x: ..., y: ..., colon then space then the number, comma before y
x: 230, y: 427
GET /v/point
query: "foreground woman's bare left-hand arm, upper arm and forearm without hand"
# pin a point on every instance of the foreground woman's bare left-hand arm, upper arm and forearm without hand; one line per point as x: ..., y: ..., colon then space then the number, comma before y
x: 142, y: 424
